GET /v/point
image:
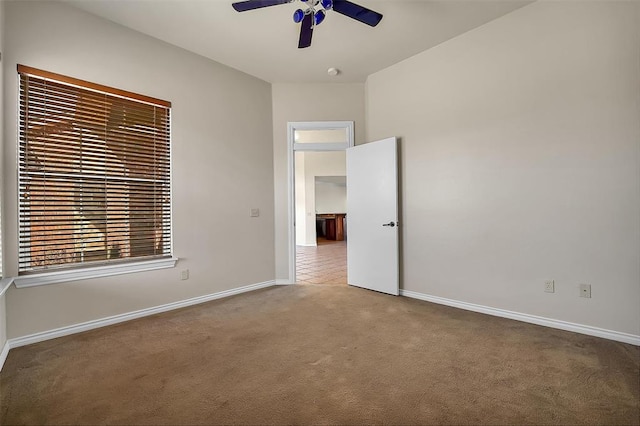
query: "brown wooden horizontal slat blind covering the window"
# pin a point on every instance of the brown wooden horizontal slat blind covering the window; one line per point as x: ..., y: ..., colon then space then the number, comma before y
x: 94, y: 174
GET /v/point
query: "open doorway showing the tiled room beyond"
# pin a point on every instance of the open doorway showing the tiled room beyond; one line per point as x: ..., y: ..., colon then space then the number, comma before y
x: 317, y: 197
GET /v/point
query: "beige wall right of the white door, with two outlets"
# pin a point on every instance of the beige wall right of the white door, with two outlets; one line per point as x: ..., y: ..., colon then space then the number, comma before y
x: 520, y: 162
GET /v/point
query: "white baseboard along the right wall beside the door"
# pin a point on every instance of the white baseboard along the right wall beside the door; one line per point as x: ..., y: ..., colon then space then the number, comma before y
x: 533, y: 319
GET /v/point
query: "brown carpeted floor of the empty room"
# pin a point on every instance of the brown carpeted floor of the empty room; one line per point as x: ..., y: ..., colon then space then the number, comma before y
x: 322, y: 355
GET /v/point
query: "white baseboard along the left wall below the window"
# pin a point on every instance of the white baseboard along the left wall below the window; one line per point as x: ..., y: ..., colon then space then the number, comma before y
x: 103, y: 322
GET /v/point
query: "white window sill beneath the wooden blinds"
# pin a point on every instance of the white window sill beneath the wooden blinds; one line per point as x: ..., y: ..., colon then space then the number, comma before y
x: 95, y: 272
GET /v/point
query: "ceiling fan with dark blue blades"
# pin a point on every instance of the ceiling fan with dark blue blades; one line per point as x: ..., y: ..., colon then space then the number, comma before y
x: 314, y: 13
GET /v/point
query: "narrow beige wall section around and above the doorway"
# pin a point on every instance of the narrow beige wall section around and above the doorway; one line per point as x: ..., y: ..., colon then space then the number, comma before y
x: 306, y: 102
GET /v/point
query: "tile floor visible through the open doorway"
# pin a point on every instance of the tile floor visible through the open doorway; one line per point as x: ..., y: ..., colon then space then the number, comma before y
x: 324, y: 264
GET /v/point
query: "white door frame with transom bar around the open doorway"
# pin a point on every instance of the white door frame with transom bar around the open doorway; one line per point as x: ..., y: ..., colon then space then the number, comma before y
x: 292, y: 126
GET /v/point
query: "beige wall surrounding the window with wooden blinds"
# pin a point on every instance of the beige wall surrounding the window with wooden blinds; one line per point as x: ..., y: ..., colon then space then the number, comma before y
x: 221, y: 152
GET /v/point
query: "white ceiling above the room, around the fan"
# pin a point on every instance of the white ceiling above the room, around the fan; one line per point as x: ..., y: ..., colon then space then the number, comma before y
x: 264, y: 42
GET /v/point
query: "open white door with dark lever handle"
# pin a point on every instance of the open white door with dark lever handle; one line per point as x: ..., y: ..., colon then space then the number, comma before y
x: 372, y: 216
